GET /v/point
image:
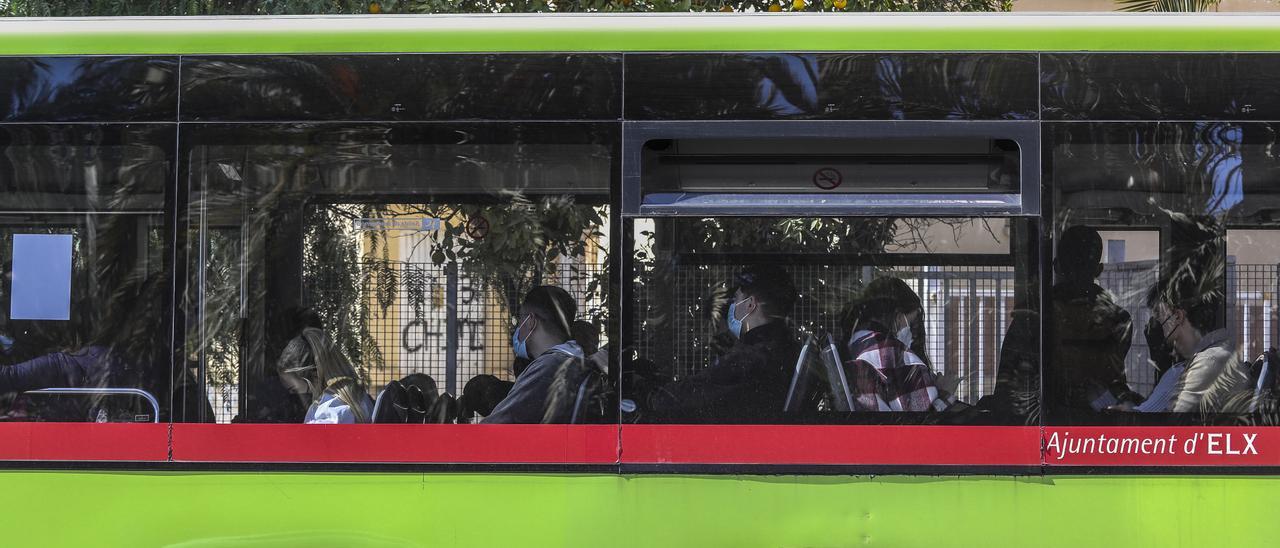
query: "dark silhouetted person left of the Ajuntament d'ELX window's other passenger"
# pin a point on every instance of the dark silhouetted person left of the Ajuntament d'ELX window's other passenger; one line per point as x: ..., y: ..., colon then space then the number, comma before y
x: 1091, y: 334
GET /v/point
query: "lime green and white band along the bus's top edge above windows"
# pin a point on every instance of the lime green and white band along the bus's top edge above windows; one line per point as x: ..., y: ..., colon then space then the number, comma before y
x: 822, y: 33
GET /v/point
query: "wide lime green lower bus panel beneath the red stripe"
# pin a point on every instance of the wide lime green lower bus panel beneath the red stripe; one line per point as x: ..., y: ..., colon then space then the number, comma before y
x: 529, y: 510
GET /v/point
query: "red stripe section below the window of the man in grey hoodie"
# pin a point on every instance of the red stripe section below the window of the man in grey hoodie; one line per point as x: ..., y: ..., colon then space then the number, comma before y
x: 418, y: 444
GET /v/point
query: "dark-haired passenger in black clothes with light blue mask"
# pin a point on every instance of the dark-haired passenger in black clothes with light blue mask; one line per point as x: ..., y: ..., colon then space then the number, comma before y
x: 749, y: 383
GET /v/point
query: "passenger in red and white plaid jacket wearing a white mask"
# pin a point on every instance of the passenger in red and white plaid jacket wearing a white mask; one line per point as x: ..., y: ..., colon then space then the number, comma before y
x: 884, y: 371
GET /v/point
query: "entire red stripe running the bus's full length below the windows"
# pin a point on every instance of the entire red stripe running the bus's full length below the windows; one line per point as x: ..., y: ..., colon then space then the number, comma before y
x: 671, y: 445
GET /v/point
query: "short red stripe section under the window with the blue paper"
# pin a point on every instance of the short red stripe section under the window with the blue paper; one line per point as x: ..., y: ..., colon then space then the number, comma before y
x: 84, y: 442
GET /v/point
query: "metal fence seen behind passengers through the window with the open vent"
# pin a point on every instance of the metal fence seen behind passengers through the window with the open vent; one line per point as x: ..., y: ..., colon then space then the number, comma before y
x: 967, y: 313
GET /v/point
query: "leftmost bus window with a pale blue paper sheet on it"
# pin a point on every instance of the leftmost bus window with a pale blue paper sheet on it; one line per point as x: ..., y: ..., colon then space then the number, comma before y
x: 84, y: 246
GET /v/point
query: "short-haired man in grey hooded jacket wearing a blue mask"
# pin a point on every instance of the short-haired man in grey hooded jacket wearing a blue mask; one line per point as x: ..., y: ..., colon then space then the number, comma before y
x: 547, y: 389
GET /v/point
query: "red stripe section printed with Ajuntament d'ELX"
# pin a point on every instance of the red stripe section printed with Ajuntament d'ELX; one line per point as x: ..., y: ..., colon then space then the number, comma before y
x: 1158, y: 446
